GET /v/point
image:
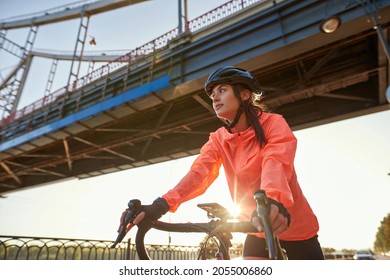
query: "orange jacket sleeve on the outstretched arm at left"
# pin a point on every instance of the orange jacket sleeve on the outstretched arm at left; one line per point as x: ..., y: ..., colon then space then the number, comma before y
x: 202, y: 174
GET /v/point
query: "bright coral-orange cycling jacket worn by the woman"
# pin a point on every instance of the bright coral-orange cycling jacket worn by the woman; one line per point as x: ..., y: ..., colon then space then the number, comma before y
x: 248, y: 167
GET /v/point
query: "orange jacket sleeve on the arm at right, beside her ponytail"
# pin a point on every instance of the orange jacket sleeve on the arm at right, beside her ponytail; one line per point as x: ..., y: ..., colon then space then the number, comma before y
x: 278, y: 160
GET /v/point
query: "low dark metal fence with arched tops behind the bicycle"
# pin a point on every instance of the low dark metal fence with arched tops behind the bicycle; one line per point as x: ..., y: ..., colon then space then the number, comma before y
x: 42, y: 248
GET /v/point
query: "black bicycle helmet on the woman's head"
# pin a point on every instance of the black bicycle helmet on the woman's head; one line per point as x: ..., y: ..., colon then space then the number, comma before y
x: 231, y: 75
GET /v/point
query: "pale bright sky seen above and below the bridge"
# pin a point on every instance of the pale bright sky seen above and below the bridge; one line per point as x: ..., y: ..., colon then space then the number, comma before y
x: 343, y: 167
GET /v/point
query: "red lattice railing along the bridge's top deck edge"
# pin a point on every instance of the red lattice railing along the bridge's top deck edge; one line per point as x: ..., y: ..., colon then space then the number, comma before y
x: 137, y: 54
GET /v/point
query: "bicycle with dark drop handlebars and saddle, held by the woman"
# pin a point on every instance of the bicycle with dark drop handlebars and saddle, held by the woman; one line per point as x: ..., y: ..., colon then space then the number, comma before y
x: 219, y: 227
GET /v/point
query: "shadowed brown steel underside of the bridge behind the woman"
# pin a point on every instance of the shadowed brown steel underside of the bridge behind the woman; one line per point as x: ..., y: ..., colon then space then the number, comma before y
x: 315, y: 80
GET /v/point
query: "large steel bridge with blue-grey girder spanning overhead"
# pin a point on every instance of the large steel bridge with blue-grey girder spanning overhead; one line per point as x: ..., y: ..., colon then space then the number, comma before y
x: 147, y: 105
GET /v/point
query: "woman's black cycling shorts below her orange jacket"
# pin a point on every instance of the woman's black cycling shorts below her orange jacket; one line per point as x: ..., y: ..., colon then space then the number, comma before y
x: 309, y: 249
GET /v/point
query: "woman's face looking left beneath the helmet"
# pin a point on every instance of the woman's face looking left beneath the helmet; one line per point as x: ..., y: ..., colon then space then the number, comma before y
x: 225, y: 103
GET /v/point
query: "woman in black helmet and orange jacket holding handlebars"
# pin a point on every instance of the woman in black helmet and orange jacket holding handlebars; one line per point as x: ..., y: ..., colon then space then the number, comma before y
x: 257, y: 150
